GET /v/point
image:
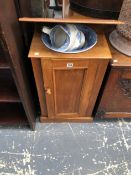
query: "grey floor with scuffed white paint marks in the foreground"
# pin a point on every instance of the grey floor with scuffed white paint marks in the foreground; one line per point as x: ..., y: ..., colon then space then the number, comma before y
x: 99, y: 148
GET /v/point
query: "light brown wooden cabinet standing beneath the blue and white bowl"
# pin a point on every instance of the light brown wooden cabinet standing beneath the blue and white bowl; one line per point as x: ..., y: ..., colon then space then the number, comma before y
x: 70, y: 83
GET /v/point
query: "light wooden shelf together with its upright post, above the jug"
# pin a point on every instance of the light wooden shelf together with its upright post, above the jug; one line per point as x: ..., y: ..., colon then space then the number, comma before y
x: 69, y: 16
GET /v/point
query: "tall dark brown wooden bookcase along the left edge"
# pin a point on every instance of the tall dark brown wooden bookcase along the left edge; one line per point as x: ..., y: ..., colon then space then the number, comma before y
x: 16, y: 102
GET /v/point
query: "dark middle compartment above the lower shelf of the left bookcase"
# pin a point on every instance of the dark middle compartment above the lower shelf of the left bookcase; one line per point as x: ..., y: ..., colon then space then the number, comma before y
x: 8, y: 91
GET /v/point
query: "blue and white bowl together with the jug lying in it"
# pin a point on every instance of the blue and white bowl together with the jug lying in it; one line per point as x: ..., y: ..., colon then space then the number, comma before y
x: 69, y: 38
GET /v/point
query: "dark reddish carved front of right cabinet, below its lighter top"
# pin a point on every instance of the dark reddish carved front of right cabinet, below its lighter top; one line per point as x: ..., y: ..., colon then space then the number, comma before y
x: 116, y: 97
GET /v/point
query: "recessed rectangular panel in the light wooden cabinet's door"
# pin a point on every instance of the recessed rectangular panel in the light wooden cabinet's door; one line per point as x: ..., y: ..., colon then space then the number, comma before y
x: 67, y: 89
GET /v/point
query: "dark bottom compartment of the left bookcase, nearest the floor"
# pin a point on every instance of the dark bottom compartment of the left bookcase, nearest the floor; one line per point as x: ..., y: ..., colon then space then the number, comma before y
x: 12, y: 114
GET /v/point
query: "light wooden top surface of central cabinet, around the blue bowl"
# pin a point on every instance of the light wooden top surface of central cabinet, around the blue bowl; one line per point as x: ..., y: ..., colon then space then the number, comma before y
x: 99, y: 51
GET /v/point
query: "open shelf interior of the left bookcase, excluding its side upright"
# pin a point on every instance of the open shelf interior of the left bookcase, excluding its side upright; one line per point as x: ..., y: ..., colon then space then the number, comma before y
x: 11, y: 109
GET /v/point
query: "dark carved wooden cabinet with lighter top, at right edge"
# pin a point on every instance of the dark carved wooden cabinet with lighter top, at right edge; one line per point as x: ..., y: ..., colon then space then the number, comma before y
x: 115, y: 100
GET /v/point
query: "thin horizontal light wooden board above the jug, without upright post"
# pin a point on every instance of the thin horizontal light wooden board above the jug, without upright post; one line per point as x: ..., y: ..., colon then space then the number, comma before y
x: 73, y: 19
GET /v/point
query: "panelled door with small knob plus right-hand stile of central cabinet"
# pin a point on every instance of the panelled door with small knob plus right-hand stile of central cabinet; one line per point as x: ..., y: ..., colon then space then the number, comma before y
x: 71, y: 85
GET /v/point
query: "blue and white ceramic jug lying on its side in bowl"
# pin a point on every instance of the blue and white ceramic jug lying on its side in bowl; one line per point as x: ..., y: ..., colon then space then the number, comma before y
x: 65, y: 37
